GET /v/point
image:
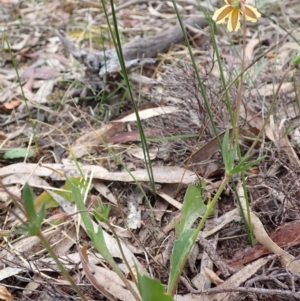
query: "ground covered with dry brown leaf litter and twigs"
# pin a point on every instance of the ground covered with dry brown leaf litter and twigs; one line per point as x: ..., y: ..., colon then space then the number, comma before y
x: 67, y: 109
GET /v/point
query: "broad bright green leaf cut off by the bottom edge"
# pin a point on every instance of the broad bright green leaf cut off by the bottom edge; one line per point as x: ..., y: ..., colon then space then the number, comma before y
x: 151, y: 289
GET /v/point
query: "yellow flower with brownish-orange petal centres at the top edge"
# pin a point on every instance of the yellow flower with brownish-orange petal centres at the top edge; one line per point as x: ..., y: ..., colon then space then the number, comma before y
x: 233, y: 10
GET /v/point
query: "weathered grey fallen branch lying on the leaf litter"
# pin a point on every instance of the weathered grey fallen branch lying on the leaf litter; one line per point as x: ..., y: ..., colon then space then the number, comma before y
x: 136, y: 52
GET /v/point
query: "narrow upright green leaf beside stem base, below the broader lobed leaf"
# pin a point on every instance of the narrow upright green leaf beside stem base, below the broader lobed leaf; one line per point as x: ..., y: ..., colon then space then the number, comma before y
x: 181, y: 250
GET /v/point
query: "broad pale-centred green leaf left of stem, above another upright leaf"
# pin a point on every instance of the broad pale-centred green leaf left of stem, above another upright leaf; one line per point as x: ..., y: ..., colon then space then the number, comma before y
x: 193, y: 207
